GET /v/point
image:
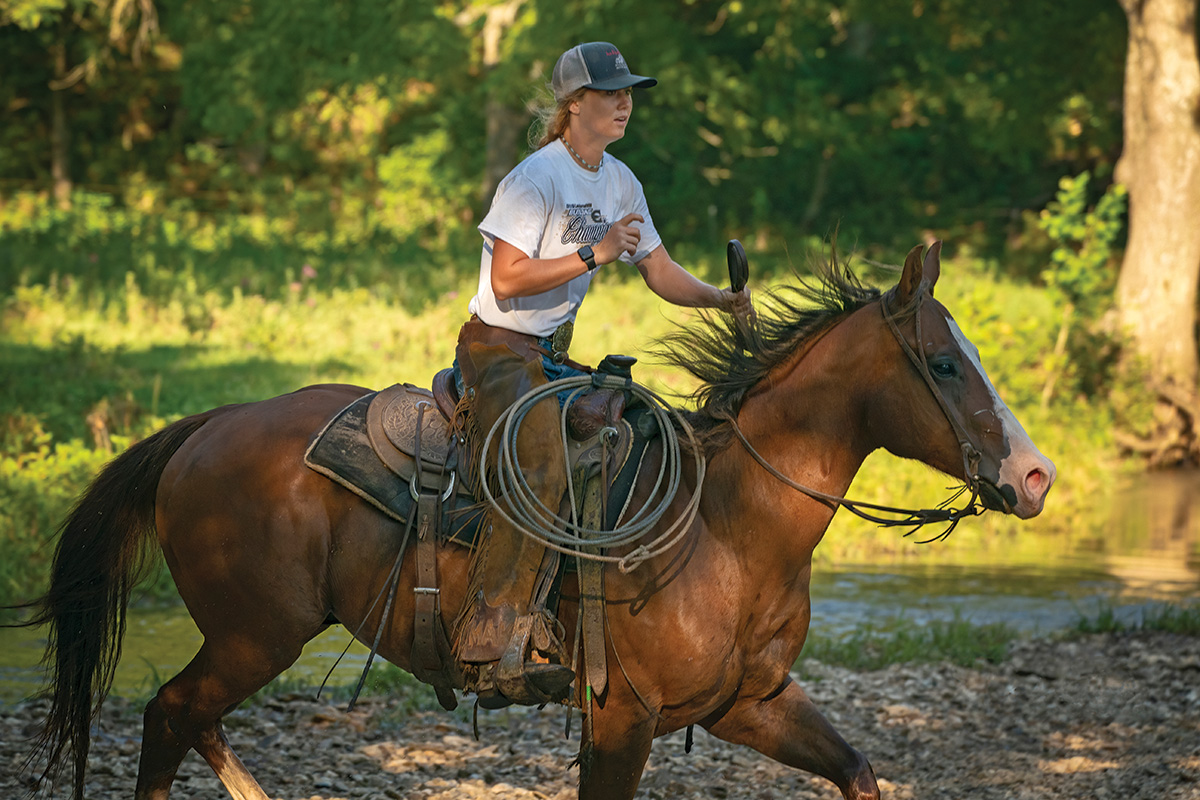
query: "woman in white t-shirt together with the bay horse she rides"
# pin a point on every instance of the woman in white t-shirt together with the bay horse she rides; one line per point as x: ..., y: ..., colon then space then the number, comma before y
x: 267, y: 552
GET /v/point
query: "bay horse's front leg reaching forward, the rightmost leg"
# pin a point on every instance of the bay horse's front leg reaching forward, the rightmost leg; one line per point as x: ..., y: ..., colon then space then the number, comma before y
x: 787, y: 726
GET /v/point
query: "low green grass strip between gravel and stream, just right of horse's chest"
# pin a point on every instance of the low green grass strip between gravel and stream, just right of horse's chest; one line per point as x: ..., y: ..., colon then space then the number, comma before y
x: 957, y: 641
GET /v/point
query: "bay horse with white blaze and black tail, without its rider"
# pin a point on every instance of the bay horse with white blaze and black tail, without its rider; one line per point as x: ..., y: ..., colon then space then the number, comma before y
x: 267, y: 554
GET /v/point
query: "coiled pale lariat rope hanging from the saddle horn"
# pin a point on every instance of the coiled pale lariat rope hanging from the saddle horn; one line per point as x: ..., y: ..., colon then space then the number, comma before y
x: 520, y: 506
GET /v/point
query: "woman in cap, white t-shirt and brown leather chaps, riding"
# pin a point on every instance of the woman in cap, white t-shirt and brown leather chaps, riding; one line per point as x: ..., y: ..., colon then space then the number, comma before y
x: 560, y: 216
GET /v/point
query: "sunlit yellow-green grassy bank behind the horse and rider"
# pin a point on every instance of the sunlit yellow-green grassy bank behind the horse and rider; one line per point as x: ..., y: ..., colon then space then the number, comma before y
x: 89, y: 365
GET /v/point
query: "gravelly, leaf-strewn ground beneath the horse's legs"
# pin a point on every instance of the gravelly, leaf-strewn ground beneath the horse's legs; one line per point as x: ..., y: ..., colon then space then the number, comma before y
x: 1102, y: 717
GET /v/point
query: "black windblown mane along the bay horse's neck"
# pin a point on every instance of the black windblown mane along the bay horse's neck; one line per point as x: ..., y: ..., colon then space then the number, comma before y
x: 729, y: 364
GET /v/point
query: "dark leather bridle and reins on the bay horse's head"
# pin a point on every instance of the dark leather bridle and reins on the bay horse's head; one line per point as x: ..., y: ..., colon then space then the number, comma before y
x: 915, y: 519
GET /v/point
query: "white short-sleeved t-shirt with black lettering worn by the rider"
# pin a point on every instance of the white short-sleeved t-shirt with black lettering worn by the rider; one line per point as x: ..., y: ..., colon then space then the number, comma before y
x: 550, y: 207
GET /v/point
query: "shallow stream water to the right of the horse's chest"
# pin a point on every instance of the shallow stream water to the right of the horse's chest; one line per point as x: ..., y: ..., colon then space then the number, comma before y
x: 1145, y: 552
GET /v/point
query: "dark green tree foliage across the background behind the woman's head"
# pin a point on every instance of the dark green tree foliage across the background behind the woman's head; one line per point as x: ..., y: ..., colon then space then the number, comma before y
x: 368, y: 118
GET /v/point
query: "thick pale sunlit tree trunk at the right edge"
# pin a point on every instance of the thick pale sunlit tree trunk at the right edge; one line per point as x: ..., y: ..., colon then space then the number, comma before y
x: 1161, y: 167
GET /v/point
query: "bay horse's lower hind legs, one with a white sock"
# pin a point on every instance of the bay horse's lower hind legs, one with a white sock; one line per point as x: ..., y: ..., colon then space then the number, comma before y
x: 187, y: 714
